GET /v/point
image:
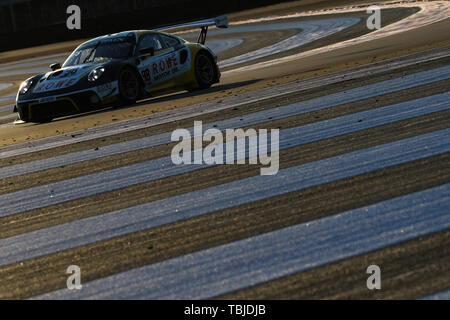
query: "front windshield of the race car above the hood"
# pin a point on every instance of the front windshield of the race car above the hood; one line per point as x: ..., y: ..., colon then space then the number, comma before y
x: 116, y: 48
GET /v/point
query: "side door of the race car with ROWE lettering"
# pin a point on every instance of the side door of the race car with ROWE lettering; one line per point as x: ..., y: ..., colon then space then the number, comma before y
x: 162, y: 58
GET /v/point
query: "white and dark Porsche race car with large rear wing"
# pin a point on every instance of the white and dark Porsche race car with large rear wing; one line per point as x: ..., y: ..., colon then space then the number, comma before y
x: 120, y: 68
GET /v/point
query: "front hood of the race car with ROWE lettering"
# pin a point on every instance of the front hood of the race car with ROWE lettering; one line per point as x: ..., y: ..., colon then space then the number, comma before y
x: 64, y: 77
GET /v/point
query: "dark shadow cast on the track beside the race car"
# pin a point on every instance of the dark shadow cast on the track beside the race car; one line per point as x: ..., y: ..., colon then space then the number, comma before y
x: 158, y: 99
